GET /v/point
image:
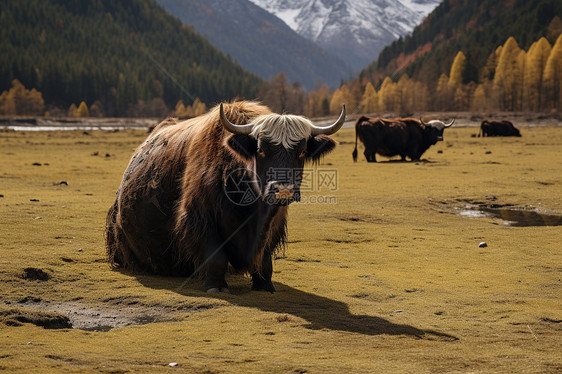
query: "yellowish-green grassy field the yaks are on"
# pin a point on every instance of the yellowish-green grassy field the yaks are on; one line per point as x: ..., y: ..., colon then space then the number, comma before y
x: 386, y: 277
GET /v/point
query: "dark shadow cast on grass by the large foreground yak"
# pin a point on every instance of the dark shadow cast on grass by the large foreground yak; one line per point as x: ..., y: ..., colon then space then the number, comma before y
x: 320, y: 312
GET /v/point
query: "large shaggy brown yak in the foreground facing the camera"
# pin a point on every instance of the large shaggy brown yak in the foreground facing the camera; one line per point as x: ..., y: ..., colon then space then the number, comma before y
x: 213, y: 190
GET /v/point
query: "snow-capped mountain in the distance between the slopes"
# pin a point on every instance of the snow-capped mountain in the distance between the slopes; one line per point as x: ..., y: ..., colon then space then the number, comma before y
x: 354, y: 30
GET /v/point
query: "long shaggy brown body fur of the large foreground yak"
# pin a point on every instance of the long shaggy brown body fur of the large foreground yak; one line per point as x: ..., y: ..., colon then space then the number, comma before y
x: 171, y: 203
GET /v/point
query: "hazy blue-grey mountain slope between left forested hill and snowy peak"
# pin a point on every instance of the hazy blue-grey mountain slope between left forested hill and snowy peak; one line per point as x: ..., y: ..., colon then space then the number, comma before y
x: 259, y: 41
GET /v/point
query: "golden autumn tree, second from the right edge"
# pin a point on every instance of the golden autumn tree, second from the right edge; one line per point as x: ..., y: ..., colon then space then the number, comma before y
x: 535, y: 63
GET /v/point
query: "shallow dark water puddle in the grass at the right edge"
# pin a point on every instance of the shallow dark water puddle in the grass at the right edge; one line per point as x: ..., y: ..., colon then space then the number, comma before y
x: 512, y: 215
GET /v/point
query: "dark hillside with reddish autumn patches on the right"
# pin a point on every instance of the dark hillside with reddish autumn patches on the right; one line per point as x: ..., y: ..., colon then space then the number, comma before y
x: 475, y: 27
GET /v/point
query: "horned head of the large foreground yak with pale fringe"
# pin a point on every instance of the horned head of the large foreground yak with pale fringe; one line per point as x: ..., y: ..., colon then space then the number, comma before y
x: 276, y: 148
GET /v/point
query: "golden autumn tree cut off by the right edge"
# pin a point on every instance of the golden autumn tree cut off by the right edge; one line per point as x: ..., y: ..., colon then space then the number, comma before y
x: 553, y: 76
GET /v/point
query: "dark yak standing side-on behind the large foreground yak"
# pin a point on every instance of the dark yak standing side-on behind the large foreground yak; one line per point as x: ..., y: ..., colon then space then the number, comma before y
x: 401, y: 136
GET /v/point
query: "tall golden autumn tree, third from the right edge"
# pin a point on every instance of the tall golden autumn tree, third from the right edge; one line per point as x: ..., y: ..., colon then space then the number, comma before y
x: 508, y: 80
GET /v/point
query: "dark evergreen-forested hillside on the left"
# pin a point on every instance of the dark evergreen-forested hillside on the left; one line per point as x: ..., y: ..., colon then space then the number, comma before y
x: 119, y: 53
